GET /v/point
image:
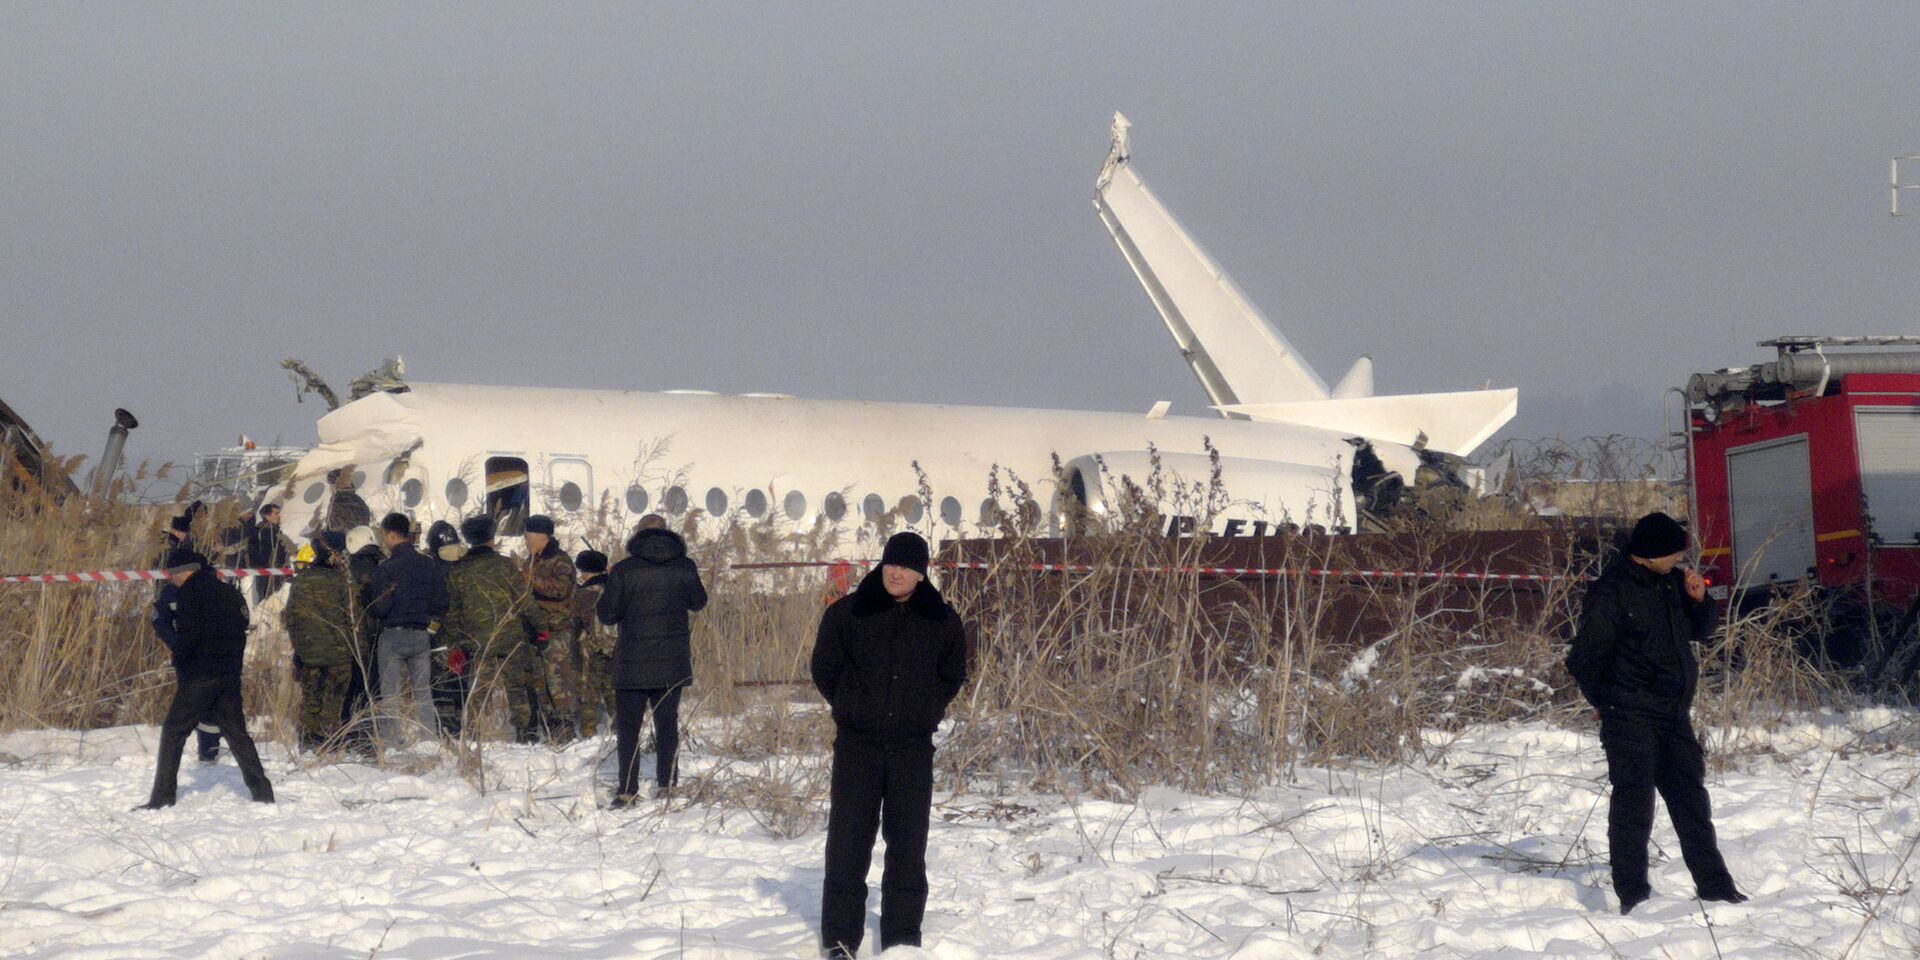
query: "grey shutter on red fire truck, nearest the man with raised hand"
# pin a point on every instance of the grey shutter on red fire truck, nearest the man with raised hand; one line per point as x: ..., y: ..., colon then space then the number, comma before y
x: 1771, y: 491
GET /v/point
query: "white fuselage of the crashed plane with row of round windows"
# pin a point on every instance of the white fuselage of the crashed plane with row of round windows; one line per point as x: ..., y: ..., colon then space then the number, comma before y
x: 732, y: 444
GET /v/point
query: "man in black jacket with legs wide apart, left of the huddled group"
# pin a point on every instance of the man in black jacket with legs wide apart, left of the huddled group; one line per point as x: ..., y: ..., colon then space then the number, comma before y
x: 208, y: 658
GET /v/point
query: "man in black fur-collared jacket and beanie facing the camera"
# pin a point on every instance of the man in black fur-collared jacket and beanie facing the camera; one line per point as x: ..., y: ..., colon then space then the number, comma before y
x: 890, y: 660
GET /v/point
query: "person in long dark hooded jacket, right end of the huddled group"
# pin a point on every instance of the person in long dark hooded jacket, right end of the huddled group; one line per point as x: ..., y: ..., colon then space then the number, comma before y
x: 650, y: 596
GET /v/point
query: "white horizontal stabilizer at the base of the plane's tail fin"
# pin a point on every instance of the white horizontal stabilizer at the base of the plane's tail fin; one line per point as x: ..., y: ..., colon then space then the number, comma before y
x: 1452, y: 423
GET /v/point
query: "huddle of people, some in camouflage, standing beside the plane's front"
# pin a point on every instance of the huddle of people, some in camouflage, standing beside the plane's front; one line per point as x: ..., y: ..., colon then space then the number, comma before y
x: 554, y: 636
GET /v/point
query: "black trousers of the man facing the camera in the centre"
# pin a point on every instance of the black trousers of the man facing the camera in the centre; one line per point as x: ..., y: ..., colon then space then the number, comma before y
x: 886, y: 788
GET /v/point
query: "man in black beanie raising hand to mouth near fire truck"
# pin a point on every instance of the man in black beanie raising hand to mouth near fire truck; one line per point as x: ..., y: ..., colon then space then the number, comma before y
x: 1635, y: 663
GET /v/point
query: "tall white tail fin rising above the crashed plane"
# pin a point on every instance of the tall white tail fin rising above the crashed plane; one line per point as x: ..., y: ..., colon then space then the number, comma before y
x: 1230, y: 345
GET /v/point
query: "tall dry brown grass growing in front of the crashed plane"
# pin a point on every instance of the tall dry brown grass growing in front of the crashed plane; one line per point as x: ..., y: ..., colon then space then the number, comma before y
x: 1105, y: 683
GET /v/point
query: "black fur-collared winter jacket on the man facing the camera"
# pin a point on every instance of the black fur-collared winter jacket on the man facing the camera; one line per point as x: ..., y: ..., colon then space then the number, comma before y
x: 890, y: 669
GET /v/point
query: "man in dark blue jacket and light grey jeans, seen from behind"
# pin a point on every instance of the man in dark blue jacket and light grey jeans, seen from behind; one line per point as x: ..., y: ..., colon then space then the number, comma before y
x: 408, y: 596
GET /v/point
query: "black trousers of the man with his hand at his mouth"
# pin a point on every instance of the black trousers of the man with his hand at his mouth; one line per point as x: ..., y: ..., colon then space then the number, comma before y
x: 1658, y: 756
